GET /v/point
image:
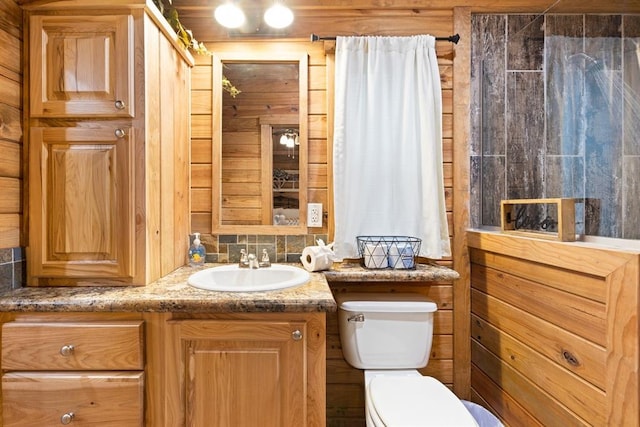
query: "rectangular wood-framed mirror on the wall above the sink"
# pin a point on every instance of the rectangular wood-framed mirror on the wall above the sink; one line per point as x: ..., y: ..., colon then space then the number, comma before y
x: 259, y: 150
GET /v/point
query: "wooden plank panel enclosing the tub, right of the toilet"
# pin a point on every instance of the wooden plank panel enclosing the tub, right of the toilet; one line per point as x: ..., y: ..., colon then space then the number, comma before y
x: 554, y: 331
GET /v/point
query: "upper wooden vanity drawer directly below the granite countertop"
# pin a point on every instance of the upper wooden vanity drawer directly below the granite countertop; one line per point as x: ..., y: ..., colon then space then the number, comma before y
x: 114, y: 345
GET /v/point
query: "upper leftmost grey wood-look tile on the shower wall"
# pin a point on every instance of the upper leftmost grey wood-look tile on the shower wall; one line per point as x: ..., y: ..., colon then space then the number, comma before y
x: 487, y: 84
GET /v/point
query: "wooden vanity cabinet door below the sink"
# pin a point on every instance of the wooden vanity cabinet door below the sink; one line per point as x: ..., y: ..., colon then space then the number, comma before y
x: 243, y: 373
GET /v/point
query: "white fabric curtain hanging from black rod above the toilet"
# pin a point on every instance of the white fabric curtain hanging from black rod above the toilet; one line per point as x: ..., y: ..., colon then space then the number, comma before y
x: 387, y: 148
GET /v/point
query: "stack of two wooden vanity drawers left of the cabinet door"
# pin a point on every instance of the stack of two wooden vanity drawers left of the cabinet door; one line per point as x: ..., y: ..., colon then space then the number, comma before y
x: 88, y: 372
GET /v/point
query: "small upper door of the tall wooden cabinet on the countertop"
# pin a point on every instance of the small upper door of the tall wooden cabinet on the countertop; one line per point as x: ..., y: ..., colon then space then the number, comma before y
x: 81, y: 66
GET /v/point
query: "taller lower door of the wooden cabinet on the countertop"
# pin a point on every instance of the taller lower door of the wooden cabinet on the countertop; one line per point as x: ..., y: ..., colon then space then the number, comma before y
x: 81, y: 199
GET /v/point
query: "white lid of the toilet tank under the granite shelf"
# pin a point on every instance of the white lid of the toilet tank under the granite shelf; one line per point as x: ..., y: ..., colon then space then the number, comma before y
x: 386, y: 302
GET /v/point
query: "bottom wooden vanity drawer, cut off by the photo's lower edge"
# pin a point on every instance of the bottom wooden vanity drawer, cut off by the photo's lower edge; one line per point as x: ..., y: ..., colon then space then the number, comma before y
x: 94, y: 398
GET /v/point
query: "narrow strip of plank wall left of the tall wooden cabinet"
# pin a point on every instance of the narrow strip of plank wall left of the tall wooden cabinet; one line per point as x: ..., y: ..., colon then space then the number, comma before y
x: 10, y: 124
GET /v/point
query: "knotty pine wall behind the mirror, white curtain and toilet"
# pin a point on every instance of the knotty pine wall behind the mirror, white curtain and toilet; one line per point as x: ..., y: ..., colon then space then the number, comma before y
x: 450, y: 358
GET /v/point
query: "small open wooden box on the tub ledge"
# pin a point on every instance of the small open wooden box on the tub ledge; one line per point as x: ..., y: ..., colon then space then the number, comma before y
x: 514, y: 219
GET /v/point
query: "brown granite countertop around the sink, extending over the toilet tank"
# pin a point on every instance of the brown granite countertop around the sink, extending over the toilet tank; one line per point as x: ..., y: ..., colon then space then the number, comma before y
x: 172, y: 293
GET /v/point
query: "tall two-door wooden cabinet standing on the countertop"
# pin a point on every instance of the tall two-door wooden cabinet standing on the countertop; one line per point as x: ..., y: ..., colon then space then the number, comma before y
x: 108, y: 133
